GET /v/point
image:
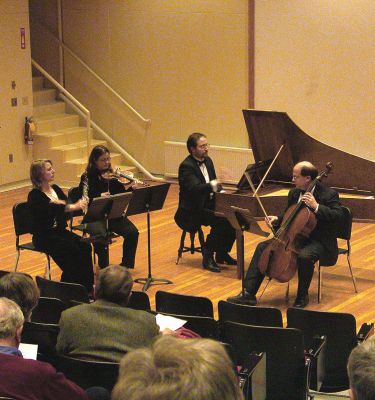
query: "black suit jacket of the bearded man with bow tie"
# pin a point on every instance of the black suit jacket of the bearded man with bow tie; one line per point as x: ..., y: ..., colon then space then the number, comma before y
x: 195, y: 193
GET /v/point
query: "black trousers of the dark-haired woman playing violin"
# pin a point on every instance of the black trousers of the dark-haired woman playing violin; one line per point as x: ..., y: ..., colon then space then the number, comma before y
x: 123, y: 227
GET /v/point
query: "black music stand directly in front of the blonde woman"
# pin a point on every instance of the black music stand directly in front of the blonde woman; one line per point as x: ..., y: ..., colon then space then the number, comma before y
x: 107, y: 208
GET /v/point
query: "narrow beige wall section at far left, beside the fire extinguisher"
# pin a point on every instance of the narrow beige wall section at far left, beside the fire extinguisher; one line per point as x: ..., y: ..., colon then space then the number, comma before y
x: 15, y: 66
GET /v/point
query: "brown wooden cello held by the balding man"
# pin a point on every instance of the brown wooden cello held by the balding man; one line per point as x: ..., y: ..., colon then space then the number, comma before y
x: 279, y: 258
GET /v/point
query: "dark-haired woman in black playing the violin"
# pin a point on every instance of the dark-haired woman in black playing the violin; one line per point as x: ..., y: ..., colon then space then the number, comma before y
x: 94, y: 184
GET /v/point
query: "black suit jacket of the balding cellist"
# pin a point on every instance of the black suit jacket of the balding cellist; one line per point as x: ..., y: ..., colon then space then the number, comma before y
x: 329, y: 216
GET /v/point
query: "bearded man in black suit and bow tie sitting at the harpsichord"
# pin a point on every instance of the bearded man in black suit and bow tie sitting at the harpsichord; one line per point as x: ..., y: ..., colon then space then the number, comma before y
x: 198, y: 183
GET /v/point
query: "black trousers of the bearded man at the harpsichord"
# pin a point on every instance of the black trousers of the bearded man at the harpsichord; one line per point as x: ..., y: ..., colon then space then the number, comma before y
x: 222, y: 235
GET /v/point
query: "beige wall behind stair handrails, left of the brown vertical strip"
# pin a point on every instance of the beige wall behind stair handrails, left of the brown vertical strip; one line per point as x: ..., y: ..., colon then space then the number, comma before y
x: 183, y: 64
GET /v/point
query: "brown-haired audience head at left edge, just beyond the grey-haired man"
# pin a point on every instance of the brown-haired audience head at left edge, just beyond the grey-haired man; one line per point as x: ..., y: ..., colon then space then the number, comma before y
x: 22, y: 290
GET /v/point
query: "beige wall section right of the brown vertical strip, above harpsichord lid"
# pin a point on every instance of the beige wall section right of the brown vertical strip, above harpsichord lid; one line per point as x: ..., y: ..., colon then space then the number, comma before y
x: 315, y: 60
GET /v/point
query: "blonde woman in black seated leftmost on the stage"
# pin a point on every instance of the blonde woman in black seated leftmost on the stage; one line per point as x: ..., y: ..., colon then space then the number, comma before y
x: 50, y: 209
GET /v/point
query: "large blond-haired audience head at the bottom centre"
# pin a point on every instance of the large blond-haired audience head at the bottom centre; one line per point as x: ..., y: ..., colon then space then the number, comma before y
x: 173, y: 369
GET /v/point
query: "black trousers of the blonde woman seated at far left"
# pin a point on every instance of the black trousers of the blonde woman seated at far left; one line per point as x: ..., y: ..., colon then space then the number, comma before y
x: 71, y: 254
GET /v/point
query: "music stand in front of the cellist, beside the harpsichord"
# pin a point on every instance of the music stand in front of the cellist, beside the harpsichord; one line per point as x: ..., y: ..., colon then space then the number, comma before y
x: 242, y: 221
